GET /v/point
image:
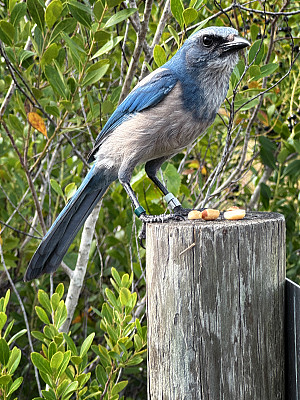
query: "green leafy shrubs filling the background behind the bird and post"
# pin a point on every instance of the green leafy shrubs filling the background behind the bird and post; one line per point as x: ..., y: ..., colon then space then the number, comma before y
x: 75, y: 68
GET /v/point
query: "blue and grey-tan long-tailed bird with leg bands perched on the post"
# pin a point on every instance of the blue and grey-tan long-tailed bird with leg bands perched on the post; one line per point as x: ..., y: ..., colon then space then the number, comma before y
x: 162, y: 115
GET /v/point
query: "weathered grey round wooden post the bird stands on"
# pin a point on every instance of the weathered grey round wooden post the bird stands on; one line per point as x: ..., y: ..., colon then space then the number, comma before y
x: 216, y: 309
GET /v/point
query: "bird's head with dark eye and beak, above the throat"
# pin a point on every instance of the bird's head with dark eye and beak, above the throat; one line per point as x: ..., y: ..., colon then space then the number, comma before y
x: 214, y: 47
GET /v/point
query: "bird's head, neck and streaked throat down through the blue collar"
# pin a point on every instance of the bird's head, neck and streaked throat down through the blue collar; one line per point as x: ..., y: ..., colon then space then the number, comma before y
x: 204, y: 65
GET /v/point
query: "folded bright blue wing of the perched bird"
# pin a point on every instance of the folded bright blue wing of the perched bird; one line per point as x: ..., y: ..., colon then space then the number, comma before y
x: 149, y: 92
